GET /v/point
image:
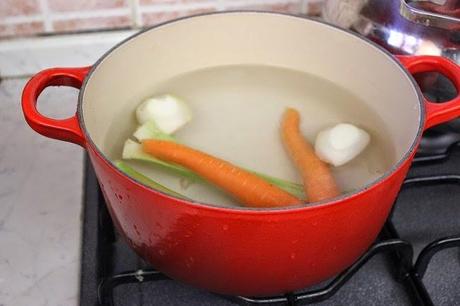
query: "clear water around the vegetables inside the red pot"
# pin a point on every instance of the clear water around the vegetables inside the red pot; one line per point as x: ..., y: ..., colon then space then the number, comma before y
x: 237, y: 110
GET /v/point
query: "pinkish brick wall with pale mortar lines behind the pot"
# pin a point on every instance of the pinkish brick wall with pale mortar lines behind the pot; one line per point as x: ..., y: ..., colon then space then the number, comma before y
x: 32, y: 17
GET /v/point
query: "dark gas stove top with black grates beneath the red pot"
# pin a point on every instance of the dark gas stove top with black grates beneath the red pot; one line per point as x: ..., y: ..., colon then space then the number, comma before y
x: 414, y: 261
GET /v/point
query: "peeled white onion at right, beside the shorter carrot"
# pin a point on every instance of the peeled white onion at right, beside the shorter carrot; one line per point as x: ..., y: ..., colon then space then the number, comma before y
x: 341, y: 143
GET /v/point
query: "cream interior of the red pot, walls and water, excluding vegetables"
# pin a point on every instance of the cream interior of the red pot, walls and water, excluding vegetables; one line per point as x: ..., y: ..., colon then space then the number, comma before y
x: 239, y: 71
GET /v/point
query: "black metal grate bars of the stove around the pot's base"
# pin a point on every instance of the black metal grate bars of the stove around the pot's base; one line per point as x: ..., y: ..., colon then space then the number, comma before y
x: 400, y: 251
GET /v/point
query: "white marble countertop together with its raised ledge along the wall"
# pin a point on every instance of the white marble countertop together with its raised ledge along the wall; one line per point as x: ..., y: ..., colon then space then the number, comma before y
x: 40, y: 178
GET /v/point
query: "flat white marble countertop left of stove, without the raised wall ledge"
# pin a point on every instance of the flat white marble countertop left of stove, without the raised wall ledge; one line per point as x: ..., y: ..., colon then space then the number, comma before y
x: 40, y: 204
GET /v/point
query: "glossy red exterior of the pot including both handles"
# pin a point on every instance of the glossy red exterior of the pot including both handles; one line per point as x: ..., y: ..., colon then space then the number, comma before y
x: 239, y: 251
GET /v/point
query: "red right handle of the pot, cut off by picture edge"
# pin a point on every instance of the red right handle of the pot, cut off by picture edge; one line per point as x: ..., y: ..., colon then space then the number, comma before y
x: 436, y: 113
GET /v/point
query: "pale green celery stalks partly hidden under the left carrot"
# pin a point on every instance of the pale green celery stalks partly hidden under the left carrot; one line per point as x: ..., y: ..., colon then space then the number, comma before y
x: 149, y: 130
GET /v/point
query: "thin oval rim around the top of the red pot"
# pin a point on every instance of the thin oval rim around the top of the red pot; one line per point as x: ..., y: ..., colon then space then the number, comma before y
x: 261, y: 211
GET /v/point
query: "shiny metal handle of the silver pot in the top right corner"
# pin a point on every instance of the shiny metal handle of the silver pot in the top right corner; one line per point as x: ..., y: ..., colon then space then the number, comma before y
x: 427, y: 18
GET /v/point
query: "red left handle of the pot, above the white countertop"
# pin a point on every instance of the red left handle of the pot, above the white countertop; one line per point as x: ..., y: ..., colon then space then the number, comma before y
x: 62, y: 129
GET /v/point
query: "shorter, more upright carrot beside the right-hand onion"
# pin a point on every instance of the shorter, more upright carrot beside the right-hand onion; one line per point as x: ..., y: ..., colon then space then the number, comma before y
x: 319, y: 184
